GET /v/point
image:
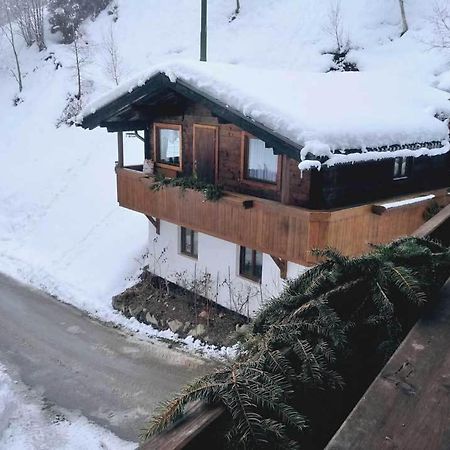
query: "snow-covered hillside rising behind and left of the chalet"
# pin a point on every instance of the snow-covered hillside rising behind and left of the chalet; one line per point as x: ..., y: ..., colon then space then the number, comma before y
x: 60, y: 226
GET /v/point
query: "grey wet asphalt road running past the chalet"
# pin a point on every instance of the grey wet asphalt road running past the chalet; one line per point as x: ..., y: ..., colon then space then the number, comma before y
x: 83, y: 365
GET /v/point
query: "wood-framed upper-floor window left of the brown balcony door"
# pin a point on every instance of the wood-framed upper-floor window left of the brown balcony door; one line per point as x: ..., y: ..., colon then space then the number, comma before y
x: 168, y: 144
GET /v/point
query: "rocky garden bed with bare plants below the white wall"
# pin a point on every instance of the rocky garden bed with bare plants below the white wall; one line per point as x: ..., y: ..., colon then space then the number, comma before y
x: 164, y: 305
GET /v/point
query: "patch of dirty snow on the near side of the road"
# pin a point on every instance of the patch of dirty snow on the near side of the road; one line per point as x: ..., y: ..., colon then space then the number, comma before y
x: 28, y: 423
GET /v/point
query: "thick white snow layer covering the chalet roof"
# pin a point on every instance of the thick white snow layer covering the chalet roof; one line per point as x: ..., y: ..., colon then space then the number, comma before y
x: 324, y: 112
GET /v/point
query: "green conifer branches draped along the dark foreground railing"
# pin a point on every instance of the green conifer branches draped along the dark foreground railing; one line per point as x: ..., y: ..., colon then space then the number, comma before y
x: 314, y: 349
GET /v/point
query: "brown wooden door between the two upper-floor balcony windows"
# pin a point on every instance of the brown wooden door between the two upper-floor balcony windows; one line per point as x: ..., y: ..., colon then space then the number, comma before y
x: 205, y: 152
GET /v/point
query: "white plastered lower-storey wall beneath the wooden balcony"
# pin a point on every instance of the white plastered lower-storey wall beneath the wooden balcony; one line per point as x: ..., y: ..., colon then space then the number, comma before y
x: 220, y: 259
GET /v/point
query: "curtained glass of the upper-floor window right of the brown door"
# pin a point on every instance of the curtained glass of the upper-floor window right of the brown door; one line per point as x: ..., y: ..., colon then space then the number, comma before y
x: 262, y: 163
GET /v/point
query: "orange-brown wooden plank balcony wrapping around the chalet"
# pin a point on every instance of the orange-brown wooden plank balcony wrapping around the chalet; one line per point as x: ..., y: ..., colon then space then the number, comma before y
x: 286, y: 232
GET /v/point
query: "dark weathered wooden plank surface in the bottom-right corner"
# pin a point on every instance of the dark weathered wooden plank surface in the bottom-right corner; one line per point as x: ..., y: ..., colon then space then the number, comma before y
x: 407, y: 407
